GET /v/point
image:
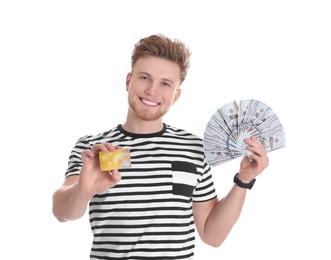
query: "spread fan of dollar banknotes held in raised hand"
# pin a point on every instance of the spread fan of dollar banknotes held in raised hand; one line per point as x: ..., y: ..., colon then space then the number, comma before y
x: 228, y: 127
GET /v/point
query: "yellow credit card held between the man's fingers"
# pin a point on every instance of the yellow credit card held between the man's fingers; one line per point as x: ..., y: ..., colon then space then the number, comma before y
x: 117, y: 159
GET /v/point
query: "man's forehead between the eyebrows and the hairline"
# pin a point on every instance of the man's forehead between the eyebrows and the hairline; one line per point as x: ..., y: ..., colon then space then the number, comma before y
x: 157, y: 67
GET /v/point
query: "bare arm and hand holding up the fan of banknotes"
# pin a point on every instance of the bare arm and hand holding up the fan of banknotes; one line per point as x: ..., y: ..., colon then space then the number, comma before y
x: 214, y: 219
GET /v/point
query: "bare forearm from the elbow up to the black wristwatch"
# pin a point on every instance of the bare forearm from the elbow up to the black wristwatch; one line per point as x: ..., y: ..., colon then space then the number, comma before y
x: 223, y: 216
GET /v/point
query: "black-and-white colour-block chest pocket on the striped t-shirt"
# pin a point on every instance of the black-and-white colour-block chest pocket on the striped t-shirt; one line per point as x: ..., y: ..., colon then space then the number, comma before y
x: 184, y: 178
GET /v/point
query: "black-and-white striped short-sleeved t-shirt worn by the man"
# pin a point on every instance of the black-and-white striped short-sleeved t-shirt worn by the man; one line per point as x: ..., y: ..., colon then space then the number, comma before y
x: 148, y: 214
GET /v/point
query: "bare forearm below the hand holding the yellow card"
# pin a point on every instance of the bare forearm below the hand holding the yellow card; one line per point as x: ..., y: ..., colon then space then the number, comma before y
x: 68, y: 203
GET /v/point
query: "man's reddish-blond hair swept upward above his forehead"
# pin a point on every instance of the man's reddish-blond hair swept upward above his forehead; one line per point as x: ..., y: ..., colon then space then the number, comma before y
x: 161, y: 46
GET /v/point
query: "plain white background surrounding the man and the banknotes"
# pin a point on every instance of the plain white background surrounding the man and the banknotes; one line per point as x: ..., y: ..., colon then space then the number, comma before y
x: 62, y: 74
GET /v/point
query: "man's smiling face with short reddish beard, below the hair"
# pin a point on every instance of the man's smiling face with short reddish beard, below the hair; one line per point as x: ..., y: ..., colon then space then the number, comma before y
x: 153, y: 86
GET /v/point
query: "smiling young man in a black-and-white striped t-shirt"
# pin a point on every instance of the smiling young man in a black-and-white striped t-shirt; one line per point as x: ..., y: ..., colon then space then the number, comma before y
x: 151, y: 210
